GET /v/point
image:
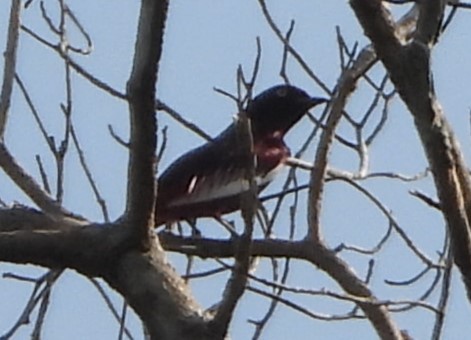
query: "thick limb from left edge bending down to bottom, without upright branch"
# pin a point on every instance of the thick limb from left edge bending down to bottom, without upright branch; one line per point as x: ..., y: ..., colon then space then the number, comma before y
x: 157, y: 294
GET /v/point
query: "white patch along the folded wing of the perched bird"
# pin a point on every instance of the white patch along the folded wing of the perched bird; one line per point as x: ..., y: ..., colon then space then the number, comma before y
x: 203, y: 189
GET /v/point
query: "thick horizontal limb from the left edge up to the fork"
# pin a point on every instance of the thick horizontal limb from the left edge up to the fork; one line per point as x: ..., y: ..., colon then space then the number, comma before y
x: 29, y: 236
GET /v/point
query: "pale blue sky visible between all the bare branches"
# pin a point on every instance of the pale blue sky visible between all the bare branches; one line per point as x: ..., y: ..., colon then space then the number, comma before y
x: 205, y: 42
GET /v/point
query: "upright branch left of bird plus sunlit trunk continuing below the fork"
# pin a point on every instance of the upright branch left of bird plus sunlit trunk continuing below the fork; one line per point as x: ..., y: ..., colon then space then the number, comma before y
x: 142, y: 275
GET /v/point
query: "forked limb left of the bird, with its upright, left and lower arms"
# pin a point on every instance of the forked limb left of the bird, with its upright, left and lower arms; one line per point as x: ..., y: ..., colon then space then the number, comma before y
x: 125, y: 253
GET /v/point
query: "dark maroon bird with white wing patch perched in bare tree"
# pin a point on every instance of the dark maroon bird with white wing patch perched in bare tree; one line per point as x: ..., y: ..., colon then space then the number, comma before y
x: 208, y: 180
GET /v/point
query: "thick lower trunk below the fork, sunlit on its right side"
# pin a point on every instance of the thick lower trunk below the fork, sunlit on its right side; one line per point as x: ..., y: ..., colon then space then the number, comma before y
x: 159, y: 296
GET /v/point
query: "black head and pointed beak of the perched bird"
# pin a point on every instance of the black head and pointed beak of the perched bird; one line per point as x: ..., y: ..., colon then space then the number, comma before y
x: 279, y: 108
